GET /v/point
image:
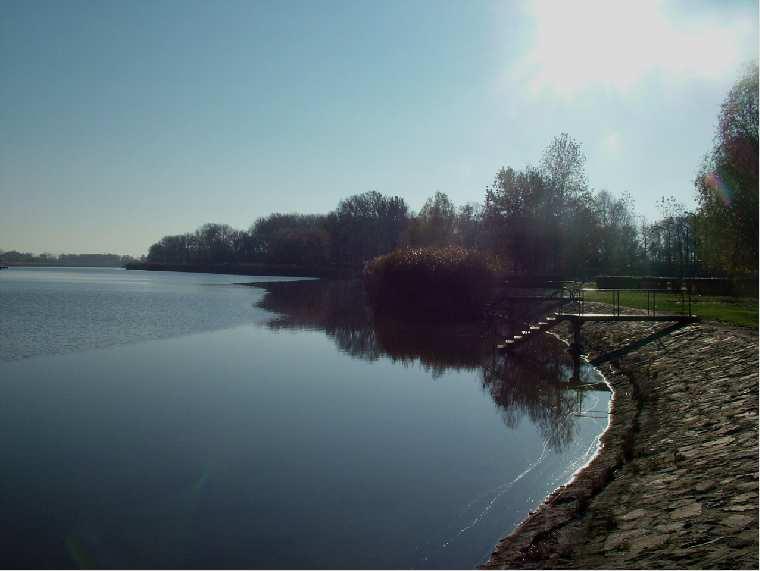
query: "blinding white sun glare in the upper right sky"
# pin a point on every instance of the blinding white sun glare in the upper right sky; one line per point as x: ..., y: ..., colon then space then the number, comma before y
x: 616, y: 45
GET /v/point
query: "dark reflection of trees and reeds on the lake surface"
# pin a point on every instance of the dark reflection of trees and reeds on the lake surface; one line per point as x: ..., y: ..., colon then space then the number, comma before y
x: 534, y: 381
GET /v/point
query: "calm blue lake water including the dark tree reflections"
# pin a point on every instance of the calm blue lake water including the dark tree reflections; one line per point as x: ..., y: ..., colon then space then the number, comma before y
x: 156, y: 419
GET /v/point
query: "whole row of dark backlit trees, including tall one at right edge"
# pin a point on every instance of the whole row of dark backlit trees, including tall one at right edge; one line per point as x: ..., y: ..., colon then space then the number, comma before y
x: 542, y: 219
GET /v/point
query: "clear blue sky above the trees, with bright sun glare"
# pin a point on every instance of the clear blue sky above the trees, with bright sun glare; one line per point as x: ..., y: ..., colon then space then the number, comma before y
x: 126, y: 121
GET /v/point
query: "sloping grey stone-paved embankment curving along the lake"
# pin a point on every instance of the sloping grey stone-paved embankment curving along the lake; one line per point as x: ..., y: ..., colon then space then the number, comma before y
x: 676, y: 482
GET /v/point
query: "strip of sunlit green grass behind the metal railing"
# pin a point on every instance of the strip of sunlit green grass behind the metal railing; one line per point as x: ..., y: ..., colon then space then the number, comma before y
x: 740, y: 311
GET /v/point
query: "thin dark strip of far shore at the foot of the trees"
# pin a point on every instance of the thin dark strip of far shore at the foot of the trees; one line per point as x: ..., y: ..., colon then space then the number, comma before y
x: 253, y: 269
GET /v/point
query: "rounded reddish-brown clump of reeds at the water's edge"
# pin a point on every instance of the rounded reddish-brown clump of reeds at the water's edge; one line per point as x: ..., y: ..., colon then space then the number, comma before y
x: 440, y: 284
